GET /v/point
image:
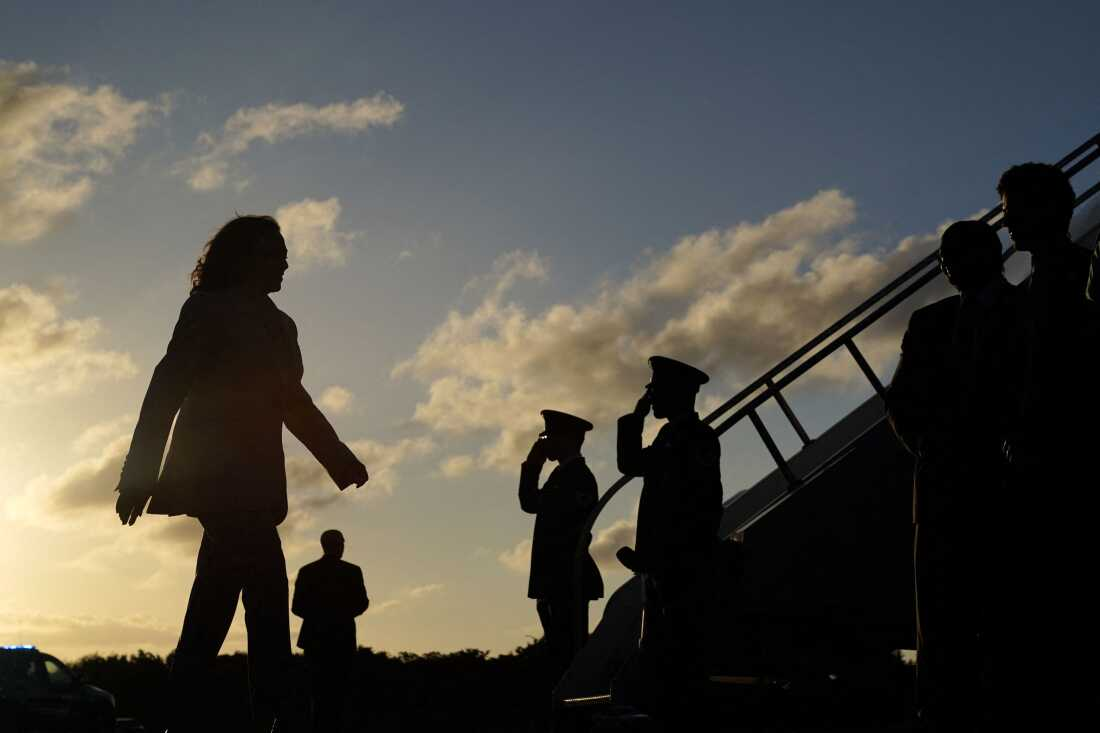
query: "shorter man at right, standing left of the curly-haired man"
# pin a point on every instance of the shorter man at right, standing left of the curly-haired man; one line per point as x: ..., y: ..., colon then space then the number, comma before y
x: 951, y: 404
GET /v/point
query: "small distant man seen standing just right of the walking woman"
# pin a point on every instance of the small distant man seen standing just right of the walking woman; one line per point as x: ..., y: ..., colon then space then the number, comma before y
x: 328, y: 596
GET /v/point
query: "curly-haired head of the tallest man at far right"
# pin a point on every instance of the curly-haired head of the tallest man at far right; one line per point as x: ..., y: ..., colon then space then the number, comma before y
x: 1039, y: 204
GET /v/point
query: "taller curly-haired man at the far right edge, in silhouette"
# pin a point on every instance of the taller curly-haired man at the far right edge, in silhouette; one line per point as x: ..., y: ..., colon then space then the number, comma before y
x: 1052, y: 455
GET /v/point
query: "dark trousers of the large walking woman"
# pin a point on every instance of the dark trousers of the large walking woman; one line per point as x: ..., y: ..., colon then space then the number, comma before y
x: 238, y: 559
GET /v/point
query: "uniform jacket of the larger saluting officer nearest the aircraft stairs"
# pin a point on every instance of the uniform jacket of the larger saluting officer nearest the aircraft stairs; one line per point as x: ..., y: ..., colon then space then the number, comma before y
x: 681, y: 496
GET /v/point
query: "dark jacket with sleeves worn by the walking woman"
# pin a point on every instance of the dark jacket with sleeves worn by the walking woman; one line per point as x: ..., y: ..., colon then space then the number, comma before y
x: 234, y: 373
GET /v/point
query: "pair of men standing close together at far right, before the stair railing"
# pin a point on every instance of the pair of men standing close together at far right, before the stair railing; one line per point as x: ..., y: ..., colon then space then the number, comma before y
x: 995, y: 397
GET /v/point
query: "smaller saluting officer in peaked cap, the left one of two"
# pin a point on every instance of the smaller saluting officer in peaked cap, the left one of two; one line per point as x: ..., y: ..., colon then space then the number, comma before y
x: 562, y: 508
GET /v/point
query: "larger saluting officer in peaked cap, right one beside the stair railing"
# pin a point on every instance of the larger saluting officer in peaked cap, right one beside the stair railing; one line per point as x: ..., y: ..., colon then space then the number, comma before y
x: 677, y: 537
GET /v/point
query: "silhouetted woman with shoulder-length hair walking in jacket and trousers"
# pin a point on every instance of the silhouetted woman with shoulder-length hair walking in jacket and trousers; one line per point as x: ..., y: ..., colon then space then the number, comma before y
x: 234, y: 374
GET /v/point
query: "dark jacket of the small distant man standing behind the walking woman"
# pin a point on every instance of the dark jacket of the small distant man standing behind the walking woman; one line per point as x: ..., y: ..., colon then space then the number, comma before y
x: 328, y: 596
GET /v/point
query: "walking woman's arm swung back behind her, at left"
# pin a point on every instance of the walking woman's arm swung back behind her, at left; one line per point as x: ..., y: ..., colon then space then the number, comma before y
x: 168, y: 388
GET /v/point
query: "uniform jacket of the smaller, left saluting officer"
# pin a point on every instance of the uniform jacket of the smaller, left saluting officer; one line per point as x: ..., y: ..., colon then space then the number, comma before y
x: 562, y: 507
